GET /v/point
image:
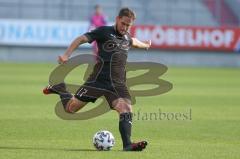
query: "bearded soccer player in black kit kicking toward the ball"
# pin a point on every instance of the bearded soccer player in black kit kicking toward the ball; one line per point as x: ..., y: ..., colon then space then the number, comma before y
x: 109, y: 76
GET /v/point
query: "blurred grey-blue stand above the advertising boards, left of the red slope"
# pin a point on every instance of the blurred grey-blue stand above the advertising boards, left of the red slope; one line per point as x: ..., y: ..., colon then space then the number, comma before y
x: 172, y: 12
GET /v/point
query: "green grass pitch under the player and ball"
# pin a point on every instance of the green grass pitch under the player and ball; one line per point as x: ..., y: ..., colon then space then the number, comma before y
x: 205, y: 101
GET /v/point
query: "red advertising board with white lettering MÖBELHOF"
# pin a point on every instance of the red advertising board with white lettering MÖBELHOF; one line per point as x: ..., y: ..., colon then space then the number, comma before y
x: 189, y: 38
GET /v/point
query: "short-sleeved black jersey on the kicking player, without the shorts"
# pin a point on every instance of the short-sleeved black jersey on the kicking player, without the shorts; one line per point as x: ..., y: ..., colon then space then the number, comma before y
x: 112, y: 49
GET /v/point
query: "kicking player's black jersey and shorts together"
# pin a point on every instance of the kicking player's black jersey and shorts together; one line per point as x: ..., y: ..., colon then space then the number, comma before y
x: 109, y: 76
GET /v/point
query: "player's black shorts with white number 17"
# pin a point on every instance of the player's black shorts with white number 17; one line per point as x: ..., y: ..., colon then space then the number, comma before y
x: 99, y: 85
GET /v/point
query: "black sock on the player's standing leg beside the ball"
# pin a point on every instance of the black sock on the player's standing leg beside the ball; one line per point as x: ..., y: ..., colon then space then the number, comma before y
x: 125, y: 126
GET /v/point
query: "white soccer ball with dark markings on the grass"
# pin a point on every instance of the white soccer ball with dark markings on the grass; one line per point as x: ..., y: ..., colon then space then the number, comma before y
x: 103, y: 140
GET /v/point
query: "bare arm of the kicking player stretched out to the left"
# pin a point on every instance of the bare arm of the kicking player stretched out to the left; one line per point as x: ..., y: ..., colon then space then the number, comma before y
x: 74, y: 45
